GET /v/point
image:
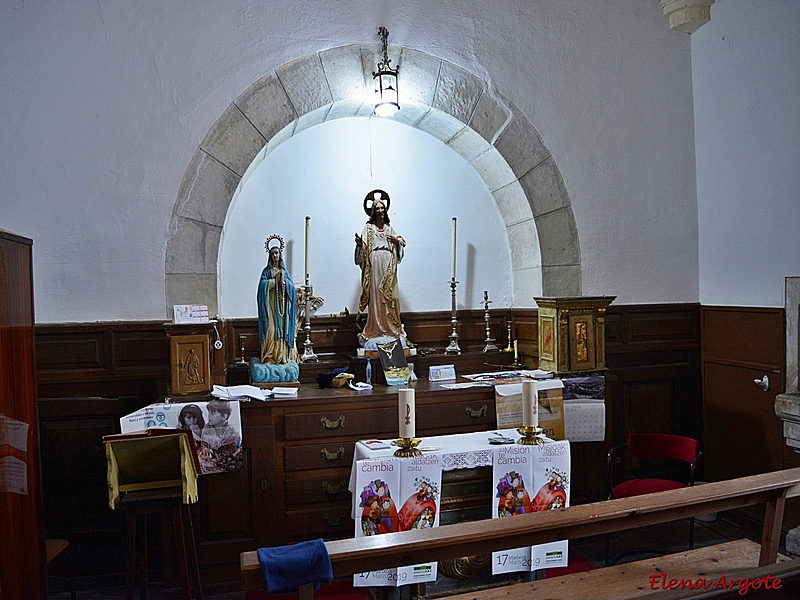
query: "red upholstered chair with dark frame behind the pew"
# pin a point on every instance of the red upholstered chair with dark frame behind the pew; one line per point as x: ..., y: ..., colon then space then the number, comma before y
x: 651, y: 462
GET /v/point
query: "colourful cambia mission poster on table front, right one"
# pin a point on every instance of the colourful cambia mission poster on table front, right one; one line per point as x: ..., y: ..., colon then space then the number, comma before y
x: 530, y: 479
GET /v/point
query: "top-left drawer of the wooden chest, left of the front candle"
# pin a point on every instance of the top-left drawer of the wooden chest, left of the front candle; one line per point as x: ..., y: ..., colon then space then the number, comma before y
x: 353, y: 423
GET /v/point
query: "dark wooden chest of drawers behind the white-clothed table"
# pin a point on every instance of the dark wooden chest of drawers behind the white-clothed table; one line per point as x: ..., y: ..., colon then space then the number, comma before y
x: 297, y: 458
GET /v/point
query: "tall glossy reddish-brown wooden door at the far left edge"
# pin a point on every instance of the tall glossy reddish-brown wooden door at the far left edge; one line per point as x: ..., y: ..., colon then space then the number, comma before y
x: 22, y: 567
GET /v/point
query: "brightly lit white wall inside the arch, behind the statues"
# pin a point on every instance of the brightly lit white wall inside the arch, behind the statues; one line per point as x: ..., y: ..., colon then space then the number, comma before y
x: 325, y: 172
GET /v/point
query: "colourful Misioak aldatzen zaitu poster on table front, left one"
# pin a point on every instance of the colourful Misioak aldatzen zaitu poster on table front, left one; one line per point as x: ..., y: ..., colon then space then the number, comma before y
x: 397, y: 494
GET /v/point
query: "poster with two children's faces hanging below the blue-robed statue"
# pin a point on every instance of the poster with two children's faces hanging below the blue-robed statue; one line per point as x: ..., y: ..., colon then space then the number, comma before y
x: 216, y: 425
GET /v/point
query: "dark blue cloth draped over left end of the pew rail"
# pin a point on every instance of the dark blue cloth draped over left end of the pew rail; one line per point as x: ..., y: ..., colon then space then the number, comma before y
x: 286, y: 568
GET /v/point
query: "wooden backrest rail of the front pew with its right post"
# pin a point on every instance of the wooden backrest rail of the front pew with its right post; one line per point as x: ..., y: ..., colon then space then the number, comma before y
x: 481, y: 537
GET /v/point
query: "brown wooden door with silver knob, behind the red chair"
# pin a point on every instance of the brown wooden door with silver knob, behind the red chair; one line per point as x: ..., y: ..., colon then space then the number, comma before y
x: 742, y: 434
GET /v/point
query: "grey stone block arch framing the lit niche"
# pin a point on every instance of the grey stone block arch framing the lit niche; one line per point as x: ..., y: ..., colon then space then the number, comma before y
x: 437, y: 97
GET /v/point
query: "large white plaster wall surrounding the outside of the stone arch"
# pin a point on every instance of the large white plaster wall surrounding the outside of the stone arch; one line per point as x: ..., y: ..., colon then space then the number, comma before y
x: 104, y: 103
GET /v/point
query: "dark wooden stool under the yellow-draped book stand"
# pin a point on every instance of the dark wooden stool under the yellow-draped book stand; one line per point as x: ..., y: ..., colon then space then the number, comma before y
x: 168, y: 503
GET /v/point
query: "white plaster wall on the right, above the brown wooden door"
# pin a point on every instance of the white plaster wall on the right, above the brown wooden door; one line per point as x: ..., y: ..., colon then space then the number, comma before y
x: 747, y: 121
